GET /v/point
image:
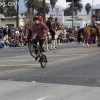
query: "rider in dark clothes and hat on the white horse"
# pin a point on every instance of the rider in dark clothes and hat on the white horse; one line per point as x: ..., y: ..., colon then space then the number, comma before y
x: 49, y: 25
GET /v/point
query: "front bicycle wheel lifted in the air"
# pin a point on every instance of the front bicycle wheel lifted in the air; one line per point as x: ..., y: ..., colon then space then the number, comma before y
x: 33, y: 49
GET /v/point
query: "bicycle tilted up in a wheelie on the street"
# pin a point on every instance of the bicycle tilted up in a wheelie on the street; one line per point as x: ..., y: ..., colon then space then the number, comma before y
x: 36, y: 52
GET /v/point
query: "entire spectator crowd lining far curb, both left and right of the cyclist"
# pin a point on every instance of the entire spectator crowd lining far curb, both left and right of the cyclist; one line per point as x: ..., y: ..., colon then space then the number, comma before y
x: 17, y: 37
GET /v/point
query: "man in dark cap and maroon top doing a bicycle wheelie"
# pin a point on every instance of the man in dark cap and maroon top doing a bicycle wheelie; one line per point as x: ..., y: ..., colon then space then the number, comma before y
x: 39, y: 31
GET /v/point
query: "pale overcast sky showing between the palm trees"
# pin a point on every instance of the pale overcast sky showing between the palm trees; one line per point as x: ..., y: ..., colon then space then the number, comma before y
x: 64, y: 4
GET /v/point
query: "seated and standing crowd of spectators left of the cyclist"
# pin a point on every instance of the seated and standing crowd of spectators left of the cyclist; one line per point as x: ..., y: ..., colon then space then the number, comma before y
x: 12, y: 37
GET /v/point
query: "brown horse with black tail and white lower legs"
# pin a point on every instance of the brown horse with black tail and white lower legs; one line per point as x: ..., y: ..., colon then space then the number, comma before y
x: 87, y: 32
